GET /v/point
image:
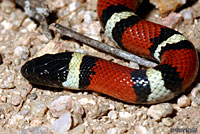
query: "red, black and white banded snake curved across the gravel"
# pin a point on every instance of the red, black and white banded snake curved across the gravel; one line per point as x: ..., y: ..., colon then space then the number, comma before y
x: 177, y: 57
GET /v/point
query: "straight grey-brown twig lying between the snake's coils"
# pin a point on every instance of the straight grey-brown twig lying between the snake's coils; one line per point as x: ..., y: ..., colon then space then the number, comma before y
x: 102, y: 46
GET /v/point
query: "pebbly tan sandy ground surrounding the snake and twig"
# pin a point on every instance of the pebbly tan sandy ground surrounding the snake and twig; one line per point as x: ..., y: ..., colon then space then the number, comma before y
x: 26, y: 108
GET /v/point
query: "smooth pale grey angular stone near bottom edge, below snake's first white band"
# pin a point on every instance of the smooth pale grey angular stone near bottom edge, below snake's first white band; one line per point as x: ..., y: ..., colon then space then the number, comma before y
x: 62, y: 124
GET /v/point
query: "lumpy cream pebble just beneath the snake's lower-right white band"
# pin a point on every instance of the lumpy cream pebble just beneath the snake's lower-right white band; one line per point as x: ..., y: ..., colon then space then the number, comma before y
x: 160, y: 110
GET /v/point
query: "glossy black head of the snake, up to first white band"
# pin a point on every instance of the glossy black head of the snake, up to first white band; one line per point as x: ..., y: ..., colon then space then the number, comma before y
x: 48, y: 70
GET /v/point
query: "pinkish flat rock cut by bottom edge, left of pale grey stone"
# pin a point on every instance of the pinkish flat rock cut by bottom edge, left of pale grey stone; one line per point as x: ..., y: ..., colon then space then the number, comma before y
x: 36, y: 130
